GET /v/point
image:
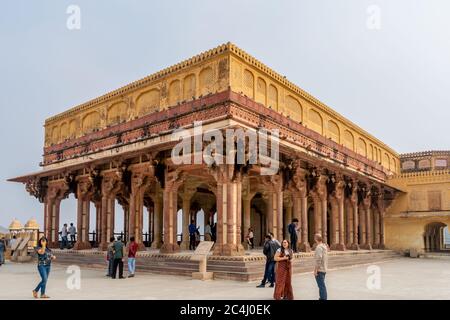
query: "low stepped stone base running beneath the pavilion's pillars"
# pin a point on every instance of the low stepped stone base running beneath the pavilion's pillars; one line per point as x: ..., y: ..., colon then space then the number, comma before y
x: 240, y: 268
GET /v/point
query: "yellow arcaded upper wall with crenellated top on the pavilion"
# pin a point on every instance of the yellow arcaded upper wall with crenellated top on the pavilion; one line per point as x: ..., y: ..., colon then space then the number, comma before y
x: 214, y: 71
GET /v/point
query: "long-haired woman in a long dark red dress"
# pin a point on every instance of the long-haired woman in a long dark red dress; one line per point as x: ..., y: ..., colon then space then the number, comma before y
x: 283, y: 282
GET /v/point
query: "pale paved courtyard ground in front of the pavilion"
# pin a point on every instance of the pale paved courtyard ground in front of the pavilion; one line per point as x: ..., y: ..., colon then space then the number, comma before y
x: 402, y: 278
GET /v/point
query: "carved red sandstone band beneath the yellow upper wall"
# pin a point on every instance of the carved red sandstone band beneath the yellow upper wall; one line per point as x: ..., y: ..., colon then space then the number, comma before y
x: 220, y: 106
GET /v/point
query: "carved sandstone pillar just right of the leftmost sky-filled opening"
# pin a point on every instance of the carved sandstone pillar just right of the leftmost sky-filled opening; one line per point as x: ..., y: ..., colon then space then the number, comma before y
x: 85, y: 191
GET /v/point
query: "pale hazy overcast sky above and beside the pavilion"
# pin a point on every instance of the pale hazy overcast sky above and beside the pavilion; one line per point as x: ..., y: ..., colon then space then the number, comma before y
x: 391, y: 75
